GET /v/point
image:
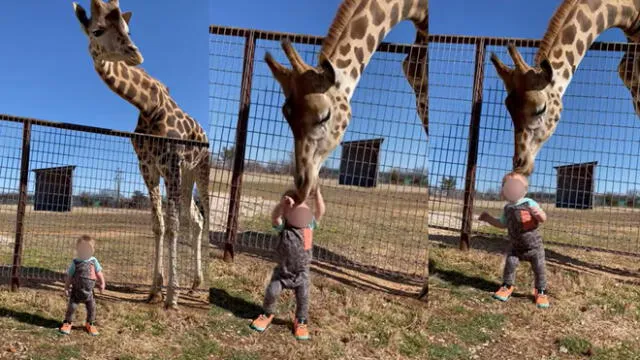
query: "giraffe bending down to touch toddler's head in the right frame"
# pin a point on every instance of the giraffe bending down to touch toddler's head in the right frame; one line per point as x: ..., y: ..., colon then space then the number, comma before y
x: 534, y: 98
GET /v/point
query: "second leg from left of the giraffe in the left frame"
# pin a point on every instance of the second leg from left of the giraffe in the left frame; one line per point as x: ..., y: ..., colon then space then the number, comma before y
x: 173, y: 181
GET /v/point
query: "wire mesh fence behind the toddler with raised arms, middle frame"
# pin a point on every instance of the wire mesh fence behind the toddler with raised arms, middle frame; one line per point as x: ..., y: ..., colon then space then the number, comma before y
x: 376, y: 201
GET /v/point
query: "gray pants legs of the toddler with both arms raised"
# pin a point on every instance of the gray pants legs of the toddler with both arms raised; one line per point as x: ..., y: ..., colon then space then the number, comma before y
x: 298, y: 283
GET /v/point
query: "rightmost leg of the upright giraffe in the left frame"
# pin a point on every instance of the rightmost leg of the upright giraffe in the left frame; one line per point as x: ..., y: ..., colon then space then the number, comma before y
x: 202, y: 182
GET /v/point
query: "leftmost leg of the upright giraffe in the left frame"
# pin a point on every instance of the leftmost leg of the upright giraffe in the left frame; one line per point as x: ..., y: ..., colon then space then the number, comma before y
x: 152, y: 180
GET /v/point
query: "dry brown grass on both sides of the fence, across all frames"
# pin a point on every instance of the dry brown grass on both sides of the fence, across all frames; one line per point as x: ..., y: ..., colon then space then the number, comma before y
x: 595, y: 304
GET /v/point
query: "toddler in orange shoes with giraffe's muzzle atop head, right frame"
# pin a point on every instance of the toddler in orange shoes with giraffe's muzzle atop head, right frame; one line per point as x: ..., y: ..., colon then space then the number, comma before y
x: 521, y: 217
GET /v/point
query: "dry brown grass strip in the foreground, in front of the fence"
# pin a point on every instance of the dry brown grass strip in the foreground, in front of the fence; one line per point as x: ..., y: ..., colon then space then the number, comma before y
x: 352, y: 317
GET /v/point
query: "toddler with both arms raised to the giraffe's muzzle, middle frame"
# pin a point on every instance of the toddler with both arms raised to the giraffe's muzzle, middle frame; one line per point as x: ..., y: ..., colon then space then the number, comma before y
x: 295, y: 223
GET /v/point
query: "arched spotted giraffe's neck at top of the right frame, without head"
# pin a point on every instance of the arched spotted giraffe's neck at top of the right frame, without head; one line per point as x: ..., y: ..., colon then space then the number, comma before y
x: 568, y: 43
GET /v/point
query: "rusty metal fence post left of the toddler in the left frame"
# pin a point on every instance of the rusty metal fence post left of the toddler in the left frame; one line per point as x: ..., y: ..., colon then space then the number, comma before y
x: 22, y: 205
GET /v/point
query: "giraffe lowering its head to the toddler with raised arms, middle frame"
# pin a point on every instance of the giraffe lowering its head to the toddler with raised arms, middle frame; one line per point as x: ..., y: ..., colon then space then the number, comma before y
x: 317, y: 105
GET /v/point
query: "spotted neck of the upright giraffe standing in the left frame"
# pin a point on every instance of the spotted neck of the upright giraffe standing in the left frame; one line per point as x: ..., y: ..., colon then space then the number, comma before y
x: 134, y: 85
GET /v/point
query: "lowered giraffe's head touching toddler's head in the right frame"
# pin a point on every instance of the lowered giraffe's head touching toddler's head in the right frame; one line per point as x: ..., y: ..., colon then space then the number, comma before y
x: 534, y: 106
